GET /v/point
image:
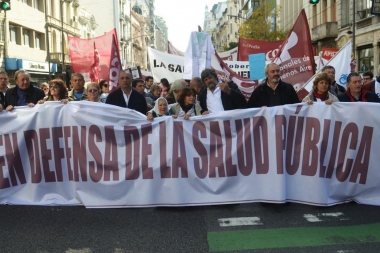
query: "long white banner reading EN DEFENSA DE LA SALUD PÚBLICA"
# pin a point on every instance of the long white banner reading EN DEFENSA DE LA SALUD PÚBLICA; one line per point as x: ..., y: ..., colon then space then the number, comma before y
x: 104, y: 156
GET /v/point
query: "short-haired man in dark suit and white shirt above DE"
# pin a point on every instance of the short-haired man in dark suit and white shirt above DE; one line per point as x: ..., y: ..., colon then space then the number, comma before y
x: 125, y: 96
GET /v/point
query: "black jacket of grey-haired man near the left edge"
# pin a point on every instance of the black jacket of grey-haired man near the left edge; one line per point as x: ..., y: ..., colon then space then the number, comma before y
x: 33, y: 95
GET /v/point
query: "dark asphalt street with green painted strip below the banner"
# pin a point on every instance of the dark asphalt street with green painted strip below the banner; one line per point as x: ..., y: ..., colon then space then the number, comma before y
x: 252, y: 227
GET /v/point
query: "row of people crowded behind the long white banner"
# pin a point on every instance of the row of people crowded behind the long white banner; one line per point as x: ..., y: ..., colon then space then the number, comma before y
x: 199, y: 96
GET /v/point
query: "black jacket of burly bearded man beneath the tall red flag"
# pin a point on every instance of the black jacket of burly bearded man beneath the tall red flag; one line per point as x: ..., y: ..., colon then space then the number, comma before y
x: 259, y: 96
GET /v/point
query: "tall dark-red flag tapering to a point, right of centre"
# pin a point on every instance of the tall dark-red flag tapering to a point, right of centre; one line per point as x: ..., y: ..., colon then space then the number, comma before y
x: 296, y: 58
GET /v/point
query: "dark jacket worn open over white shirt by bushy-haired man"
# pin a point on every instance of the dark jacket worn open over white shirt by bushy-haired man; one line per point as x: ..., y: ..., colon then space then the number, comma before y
x: 235, y: 100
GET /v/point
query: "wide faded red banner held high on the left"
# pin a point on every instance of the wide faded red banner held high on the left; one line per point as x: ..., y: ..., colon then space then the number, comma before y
x: 85, y: 52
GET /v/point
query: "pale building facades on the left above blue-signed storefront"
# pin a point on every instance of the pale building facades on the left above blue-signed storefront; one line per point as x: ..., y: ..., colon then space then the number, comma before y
x: 34, y: 37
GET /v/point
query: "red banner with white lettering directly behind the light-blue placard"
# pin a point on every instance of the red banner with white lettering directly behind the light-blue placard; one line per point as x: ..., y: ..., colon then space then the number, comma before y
x: 251, y: 46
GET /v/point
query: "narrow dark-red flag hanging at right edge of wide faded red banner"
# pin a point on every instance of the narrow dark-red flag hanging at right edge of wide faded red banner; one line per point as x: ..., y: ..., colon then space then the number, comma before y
x: 115, y: 65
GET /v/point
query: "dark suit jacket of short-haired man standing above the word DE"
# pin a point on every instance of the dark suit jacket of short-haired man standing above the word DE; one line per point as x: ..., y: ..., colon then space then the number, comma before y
x: 136, y: 100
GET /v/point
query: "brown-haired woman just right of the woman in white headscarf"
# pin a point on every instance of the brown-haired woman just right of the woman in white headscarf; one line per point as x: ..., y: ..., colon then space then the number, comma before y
x: 186, y: 106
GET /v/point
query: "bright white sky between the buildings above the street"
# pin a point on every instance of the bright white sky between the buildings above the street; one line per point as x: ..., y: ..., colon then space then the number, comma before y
x: 182, y: 18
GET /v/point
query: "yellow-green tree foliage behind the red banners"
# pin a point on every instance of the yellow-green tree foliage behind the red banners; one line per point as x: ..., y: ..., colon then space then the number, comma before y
x: 261, y: 25
